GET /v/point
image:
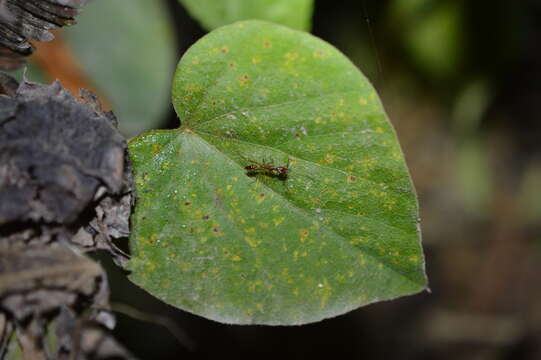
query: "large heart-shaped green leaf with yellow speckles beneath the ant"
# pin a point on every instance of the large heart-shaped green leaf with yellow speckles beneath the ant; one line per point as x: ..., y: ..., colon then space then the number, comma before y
x: 340, y: 232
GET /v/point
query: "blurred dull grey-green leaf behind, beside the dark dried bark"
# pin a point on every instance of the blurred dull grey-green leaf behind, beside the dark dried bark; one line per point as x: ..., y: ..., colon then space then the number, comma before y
x: 128, y: 50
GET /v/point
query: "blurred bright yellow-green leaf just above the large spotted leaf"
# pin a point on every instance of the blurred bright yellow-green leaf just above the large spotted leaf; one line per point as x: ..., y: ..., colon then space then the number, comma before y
x: 214, y: 13
